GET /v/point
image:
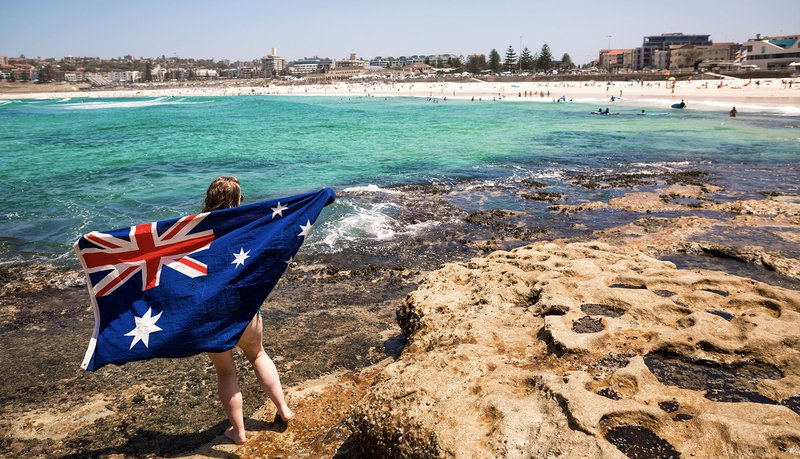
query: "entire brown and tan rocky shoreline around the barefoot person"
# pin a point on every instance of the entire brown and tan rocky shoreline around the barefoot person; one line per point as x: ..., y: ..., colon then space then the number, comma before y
x: 562, y: 346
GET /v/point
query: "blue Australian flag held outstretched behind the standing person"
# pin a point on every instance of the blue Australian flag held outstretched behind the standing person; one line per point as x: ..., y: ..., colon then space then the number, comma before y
x: 179, y: 287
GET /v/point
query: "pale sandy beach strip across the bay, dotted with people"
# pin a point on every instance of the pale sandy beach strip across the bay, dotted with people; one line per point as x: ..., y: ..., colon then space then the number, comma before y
x: 775, y: 96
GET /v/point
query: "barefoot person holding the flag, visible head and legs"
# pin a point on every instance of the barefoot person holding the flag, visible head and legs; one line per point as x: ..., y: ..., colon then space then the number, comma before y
x: 225, y: 192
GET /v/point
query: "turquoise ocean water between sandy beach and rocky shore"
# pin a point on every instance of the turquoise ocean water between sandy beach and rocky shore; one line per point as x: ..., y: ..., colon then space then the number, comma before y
x: 70, y: 166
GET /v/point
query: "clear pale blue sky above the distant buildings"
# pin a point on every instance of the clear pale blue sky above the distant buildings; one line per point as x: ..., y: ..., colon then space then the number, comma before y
x: 246, y: 30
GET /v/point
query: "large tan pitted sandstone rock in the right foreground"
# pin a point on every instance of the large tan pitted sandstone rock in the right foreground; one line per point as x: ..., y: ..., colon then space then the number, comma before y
x: 493, y: 367
